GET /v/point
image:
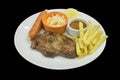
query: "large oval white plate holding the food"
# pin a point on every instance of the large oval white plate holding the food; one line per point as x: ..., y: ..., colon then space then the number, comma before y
x: 22, y: 45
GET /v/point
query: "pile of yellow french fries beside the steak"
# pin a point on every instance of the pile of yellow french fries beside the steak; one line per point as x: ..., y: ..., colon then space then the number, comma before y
x: 89, y: 40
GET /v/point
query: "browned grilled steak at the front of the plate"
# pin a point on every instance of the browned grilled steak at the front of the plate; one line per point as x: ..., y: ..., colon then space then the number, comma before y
x: 51, y: 45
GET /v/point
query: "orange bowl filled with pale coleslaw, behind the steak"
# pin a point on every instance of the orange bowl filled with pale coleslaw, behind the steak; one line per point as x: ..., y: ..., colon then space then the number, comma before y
x: 55, y: 22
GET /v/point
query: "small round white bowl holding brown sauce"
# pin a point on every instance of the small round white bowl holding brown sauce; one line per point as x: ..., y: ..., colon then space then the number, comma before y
x: 75, y: 32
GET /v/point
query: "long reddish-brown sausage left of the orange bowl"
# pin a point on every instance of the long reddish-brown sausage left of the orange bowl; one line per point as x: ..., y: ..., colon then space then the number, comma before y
x: 36, y: 26
